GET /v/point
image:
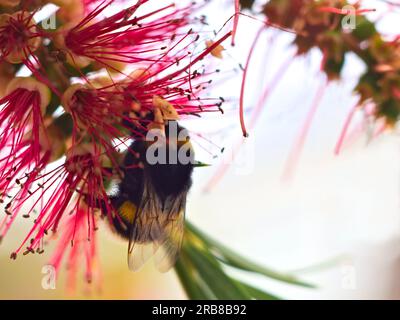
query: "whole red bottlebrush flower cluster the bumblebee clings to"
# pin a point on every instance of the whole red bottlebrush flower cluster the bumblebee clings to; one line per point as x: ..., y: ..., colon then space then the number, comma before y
x: 167, y: 78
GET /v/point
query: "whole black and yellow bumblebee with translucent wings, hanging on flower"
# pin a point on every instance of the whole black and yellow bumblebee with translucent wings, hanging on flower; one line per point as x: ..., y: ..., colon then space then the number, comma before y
x: 151, y: 198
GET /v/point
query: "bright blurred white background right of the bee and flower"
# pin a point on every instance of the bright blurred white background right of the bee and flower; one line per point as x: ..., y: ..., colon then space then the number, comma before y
x: 343, y: 207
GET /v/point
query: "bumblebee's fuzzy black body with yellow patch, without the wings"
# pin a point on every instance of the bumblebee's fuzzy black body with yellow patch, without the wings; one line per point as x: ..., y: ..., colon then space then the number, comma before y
x: 169, y: 184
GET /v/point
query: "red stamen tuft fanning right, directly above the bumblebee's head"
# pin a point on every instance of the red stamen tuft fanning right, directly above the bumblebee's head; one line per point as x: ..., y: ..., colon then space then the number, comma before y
x: 112, y: 112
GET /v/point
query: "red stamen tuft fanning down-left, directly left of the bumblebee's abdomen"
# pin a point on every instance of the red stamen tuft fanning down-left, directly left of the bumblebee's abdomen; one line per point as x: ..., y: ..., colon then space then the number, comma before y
x: 79, y: 188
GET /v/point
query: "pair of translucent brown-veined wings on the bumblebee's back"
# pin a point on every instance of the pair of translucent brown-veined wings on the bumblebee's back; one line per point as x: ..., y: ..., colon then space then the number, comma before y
x: 156, y: 231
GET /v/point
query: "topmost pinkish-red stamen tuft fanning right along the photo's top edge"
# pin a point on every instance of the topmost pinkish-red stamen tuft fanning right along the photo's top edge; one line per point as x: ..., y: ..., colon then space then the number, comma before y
x: 122, y: 38
